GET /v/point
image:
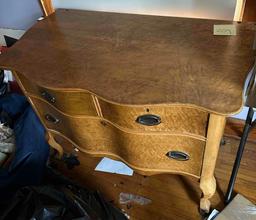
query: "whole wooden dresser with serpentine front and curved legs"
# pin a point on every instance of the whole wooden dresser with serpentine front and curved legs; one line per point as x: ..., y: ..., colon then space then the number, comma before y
x: 151, y: 91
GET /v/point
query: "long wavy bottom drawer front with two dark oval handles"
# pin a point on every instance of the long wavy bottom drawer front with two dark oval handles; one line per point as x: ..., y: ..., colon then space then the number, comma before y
x: 147, y: 153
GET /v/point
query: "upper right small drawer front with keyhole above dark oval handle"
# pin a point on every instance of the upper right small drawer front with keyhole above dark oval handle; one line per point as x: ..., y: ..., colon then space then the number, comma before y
x: 175, y: 119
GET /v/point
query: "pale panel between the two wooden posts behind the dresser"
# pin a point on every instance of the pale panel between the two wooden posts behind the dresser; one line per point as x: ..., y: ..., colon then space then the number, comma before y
x: 214, y: 9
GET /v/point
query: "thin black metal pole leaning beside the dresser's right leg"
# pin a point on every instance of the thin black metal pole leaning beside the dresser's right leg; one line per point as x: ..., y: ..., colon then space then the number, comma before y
x: 249, y: 124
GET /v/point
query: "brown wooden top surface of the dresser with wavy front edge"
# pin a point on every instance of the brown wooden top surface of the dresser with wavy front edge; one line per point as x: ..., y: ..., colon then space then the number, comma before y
x: 137, y: 59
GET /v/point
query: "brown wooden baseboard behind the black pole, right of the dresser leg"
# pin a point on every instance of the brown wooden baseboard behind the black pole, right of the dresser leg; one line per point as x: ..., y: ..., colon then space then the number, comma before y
x: 234, y: 128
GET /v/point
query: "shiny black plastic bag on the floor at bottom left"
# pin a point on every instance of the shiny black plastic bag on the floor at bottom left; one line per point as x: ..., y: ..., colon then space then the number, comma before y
x: 61, y: 201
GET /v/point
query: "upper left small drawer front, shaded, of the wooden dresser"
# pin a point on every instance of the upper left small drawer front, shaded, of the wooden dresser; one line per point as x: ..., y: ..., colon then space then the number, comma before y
x: 69, y: 102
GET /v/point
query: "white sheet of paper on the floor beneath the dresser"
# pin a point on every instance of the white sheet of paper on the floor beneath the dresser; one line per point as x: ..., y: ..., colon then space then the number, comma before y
x: 113, y: 166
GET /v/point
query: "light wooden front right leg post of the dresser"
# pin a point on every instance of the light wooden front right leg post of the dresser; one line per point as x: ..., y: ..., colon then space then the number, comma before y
x: 207, y: 181
